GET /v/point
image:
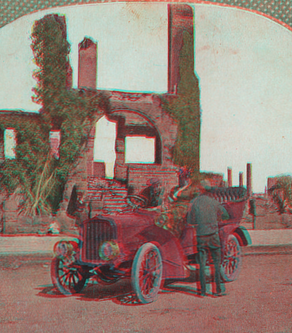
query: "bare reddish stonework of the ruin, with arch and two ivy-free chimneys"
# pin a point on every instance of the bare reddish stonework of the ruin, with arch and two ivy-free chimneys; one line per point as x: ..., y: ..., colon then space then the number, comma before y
x: 135, y: 114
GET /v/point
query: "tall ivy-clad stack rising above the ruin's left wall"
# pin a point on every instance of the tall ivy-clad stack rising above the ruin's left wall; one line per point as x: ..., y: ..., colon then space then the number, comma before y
x: 51, y: 50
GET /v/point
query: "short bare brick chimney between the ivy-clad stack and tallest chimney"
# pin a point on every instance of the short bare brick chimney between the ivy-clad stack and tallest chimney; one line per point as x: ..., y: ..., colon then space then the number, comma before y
x: 87, y: 64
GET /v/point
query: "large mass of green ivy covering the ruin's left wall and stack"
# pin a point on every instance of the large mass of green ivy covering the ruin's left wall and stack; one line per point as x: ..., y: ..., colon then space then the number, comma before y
x: 40, y: 177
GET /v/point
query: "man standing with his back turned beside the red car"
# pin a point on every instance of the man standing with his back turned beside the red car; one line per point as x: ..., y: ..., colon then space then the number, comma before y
x: 204, y: 213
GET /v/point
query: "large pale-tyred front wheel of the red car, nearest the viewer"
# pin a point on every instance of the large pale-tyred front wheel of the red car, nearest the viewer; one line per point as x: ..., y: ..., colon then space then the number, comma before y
x: 146, y: 273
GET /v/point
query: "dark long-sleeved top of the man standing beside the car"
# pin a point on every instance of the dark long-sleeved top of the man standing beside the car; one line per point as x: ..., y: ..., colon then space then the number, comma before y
x: 204, y: 213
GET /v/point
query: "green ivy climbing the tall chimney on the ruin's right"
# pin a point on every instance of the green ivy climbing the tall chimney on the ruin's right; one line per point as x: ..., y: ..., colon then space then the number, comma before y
x: 185, y: 110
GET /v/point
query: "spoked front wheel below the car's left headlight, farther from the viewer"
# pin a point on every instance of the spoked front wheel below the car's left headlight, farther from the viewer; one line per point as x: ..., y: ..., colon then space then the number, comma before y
x: 68, y: 278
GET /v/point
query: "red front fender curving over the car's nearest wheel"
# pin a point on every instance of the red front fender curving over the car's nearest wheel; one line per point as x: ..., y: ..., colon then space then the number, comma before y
x: 170, y: 249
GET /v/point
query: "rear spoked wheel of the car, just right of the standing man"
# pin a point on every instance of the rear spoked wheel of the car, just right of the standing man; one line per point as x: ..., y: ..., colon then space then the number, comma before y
x: 231, y: 263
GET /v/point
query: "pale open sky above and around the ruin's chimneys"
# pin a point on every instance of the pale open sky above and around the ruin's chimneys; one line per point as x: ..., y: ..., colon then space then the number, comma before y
x: 243, y: 62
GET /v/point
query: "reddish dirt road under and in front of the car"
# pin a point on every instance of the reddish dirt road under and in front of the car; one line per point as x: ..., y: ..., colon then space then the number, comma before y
x: 258, y: 301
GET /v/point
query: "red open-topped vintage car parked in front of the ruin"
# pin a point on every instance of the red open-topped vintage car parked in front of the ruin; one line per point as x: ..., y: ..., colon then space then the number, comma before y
x: 135, y: 244
